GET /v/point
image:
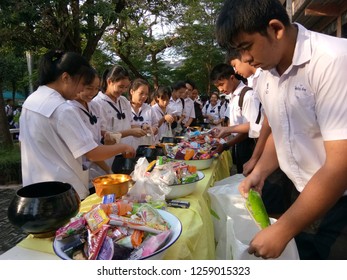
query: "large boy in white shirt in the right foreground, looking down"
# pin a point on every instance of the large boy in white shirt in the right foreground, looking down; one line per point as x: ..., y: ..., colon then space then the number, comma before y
x: 303, y: 92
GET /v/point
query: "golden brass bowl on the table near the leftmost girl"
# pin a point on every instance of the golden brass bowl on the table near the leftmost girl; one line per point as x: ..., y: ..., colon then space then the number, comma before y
x: 117, y: 184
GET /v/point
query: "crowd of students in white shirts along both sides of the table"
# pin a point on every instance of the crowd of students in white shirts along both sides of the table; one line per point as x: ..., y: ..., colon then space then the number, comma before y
x: 281, y: 121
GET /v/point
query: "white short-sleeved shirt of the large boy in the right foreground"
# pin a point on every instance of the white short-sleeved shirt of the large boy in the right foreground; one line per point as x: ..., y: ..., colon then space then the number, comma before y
x: 307, y: 104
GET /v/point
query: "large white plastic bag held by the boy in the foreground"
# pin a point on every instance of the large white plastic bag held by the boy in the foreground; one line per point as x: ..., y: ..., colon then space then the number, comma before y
x: 233, y: 226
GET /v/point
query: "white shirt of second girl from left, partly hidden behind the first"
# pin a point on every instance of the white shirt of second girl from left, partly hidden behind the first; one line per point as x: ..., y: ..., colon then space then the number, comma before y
x: 92, y: 120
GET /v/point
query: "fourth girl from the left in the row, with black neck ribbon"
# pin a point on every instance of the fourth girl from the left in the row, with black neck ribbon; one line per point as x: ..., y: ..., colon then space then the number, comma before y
x: 143, y: 115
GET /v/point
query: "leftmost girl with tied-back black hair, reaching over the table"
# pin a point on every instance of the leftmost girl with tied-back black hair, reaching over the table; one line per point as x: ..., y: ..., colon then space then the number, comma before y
x: 54, y: 139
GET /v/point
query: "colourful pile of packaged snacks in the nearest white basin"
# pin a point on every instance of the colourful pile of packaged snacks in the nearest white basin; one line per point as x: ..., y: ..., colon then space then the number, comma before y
x: 115, y: 229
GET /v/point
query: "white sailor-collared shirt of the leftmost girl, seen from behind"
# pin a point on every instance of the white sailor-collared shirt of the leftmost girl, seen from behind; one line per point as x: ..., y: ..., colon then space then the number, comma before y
x: 53, y: 141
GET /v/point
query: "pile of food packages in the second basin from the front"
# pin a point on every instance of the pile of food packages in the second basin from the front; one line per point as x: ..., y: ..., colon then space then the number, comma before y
x: 164, y: 170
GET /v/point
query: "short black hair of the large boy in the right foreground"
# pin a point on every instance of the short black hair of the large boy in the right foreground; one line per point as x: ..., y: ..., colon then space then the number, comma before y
x: 249, y: 16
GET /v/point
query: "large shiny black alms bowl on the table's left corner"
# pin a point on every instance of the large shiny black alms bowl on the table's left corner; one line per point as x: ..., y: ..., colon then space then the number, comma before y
x: 42, y: 208
